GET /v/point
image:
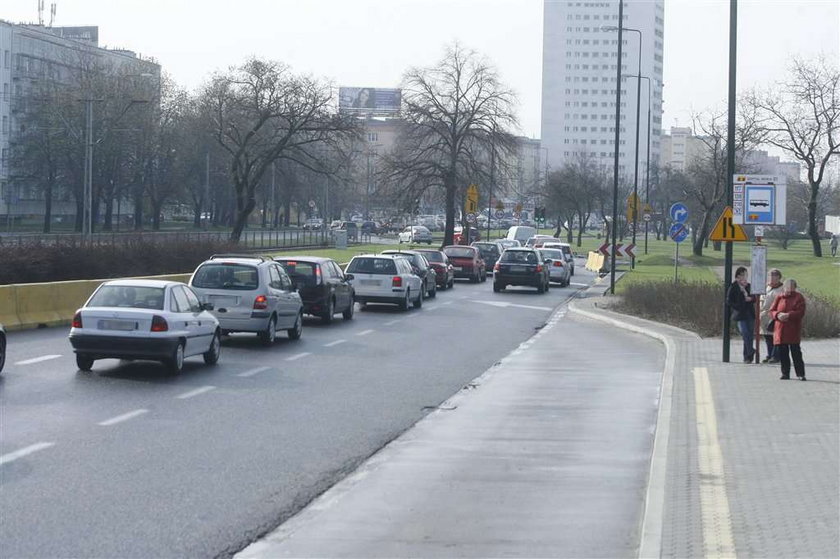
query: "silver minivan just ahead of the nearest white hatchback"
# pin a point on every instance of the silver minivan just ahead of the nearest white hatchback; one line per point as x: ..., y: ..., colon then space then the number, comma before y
x: 250, y: 294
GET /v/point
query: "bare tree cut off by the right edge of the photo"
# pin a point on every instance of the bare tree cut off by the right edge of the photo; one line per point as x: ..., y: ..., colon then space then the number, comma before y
x: 801, y: 116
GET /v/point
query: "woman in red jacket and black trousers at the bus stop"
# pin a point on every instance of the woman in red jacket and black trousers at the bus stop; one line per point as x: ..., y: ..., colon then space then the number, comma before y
x: 788, y: 310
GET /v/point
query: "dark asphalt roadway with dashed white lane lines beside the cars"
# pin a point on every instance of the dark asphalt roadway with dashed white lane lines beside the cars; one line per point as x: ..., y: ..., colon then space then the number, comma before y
x: 127, y: 461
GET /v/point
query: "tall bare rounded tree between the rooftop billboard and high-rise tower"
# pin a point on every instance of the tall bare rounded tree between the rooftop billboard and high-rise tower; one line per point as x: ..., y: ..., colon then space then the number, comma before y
x: 455, y: 113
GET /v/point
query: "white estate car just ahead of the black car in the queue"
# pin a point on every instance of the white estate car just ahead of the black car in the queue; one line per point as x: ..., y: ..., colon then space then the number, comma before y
x: 385, y: 278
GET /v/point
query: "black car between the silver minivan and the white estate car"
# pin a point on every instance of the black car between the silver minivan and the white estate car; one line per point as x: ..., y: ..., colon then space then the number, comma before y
x: 323, y: 287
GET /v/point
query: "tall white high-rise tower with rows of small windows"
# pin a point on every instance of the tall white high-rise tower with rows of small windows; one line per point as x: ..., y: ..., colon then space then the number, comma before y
x: 580, y: 48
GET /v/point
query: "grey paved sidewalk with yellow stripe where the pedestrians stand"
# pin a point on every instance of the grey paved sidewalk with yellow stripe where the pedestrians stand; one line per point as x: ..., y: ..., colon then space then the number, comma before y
x: 768, y: 485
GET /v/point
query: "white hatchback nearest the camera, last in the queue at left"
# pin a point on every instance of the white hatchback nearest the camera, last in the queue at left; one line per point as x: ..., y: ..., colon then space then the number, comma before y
x: 145, y: 319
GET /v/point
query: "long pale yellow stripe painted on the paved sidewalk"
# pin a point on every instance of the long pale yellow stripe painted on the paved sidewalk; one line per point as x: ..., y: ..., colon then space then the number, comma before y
x: 714, y: 504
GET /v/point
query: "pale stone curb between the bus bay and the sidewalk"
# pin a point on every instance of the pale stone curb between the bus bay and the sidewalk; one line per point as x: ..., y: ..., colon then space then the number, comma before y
x: 650, y: 544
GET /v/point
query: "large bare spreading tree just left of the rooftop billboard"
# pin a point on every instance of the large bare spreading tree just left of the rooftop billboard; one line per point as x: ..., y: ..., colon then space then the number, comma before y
x: 261, y: 113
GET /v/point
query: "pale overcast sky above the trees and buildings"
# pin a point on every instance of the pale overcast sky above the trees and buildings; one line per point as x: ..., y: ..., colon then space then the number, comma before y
x: 371, y: 42
